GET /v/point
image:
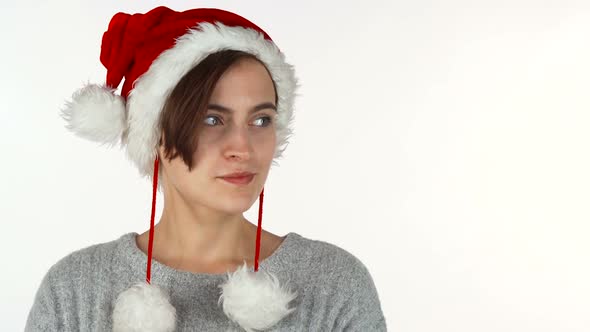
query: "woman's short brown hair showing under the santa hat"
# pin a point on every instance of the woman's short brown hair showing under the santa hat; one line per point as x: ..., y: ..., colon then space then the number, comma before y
x: 185, y: 108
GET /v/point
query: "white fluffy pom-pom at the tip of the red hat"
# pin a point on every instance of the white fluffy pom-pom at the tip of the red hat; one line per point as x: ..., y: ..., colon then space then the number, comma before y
x: 96, y: 113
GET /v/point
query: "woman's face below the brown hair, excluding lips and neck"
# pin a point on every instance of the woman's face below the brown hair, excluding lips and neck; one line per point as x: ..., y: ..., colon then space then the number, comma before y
x: 239, y: 139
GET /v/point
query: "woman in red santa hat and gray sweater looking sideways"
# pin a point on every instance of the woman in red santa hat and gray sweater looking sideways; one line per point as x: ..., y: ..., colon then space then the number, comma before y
x: 205, y: 110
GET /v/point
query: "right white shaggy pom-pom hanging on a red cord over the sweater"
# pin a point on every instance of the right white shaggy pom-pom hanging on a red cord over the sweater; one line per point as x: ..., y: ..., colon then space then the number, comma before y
x: 254, y: 300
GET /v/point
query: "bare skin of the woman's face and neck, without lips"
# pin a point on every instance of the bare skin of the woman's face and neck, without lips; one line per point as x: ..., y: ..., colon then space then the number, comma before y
x: 202, y: 228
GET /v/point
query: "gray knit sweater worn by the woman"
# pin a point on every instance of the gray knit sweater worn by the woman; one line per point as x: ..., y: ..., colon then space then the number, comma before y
x: 335, y: 290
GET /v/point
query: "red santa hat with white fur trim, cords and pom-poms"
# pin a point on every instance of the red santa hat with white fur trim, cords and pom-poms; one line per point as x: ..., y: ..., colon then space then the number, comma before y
x: 152, y: 52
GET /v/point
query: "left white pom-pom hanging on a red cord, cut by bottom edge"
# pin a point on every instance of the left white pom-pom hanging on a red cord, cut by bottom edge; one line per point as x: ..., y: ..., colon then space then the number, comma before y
x: 144, y: 307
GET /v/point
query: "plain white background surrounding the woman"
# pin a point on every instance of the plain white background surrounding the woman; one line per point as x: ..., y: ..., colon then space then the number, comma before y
x: 443, y: 143
